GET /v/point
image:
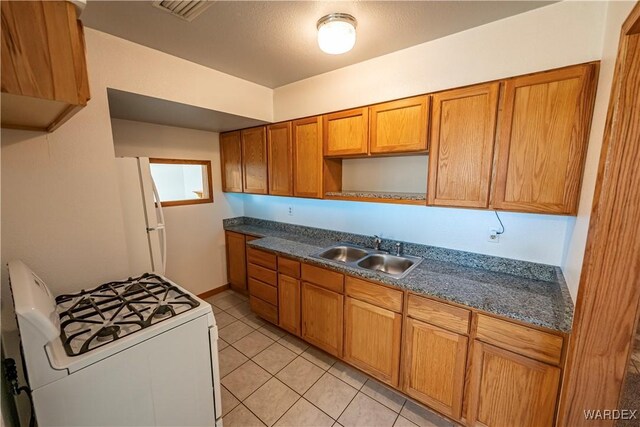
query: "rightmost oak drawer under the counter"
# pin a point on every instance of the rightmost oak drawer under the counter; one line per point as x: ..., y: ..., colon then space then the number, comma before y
x: 520, y: 339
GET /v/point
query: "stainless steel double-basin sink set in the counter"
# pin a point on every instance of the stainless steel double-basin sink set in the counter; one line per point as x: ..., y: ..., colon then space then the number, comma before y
x: 396, y: 266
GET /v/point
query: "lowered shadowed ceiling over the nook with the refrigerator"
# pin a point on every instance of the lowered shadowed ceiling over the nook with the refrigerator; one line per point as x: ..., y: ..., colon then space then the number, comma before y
x: 141, y: 108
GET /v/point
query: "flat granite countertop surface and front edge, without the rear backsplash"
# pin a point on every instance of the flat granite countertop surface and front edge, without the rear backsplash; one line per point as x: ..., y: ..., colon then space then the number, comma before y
x: 544, y: 303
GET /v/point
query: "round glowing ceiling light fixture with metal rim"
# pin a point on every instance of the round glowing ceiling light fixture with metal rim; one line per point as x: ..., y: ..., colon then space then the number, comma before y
x: 336, y: 33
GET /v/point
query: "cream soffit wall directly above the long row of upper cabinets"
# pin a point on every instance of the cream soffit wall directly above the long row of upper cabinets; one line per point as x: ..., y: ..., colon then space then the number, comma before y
x: 561, y: 34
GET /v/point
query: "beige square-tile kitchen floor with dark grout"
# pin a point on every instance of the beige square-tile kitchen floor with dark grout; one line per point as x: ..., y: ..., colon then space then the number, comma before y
x: 272, y: 378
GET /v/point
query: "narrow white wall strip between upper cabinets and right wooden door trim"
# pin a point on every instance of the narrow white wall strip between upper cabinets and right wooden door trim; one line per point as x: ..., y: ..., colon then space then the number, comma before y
x: 617, y: 12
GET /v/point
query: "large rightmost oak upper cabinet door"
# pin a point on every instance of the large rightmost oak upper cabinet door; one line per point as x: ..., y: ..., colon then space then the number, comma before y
x: 542, y: 140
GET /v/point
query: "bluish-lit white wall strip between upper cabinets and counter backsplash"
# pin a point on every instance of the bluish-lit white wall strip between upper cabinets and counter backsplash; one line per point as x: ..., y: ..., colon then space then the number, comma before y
x: 536, y: 238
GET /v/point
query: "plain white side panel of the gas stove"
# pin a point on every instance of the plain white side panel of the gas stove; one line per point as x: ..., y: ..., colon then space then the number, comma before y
x: 157, y: 382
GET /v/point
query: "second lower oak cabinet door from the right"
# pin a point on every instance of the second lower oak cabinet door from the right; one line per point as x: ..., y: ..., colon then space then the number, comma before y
x: 434, y: 366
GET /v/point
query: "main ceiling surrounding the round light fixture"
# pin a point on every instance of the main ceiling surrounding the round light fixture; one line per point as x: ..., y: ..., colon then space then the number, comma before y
x: 273, y: 43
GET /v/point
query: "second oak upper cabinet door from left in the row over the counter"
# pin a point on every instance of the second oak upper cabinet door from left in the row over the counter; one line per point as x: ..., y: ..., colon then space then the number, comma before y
x: 254, y: 160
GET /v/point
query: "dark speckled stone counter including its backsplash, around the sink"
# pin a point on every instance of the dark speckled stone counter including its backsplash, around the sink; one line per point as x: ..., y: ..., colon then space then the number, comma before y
x: 528, y: 292
